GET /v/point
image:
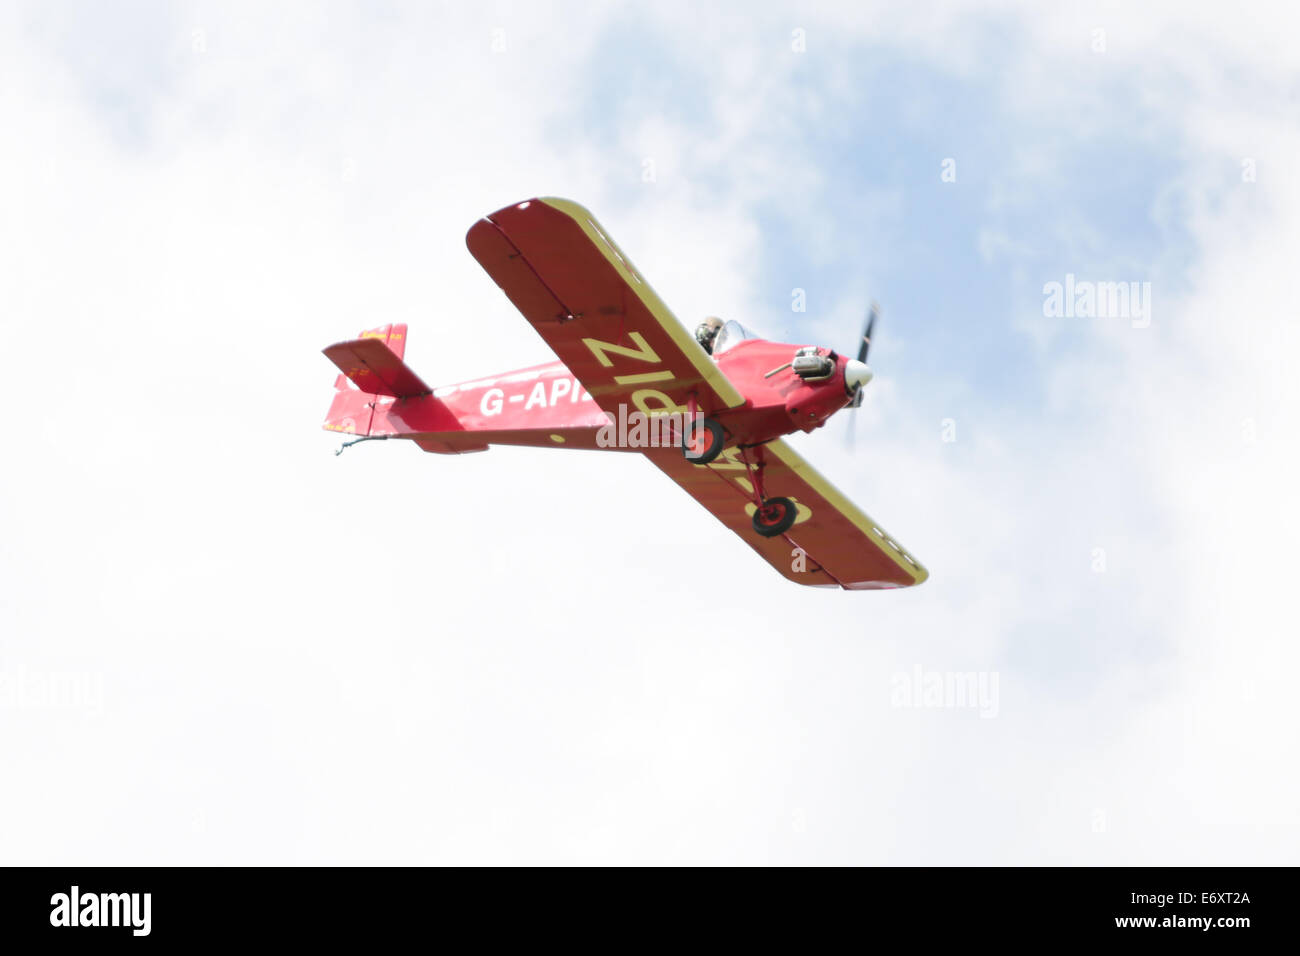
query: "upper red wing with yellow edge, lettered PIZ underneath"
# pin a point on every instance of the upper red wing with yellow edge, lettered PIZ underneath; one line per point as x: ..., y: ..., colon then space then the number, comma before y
x: 584, y: 297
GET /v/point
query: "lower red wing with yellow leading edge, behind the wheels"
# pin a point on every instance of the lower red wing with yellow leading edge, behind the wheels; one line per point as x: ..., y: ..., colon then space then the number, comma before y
x: 831, y: 544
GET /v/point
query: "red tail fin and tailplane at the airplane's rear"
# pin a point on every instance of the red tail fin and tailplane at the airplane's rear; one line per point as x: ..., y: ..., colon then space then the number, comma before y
x: 371, y: 366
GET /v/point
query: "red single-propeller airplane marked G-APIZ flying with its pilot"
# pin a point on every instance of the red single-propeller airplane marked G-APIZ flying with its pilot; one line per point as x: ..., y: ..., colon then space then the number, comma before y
x: 710, y: 410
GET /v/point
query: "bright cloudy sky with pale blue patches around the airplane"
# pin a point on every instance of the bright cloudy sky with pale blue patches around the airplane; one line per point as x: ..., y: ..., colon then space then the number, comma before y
x: 223, y: 644
